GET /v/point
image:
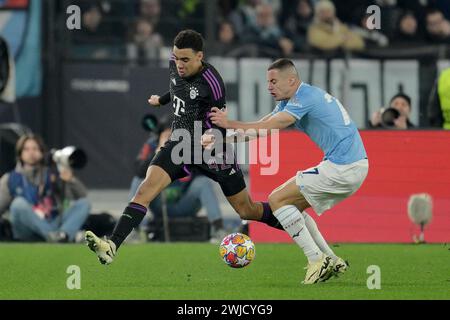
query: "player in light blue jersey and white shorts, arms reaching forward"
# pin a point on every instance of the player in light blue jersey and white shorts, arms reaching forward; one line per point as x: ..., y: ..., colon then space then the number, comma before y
x: 340, y: 173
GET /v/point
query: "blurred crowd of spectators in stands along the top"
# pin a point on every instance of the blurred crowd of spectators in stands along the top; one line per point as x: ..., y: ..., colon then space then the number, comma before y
x: 138, y: 29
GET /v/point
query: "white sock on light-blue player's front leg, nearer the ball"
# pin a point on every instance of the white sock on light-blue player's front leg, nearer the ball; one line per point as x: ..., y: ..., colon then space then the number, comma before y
x: 294, y: 223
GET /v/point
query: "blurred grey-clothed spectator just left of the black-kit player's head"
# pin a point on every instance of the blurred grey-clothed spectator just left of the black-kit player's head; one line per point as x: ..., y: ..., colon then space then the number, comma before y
x: 145, y: 44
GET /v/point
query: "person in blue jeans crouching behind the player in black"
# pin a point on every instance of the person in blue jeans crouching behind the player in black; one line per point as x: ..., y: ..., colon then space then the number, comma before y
x: 184, y: 197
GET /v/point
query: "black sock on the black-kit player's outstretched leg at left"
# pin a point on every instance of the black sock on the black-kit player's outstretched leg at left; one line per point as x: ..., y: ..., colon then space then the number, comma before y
x: 131, y: 218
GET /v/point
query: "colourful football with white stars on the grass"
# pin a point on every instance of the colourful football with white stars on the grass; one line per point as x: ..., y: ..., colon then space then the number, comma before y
x: 237, y: 250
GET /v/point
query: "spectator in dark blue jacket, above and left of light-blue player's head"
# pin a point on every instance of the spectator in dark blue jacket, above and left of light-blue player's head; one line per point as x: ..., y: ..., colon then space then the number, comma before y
x: 267, y: 35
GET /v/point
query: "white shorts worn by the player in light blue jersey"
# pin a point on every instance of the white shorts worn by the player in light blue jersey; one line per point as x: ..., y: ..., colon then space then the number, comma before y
x: 328, y: 183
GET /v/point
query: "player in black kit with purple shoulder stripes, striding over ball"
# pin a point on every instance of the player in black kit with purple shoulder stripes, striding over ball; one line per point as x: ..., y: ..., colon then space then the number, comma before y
x: 195, y: 87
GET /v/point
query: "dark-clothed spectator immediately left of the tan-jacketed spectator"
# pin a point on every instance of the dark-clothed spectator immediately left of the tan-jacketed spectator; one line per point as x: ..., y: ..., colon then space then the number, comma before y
x: 297, y: 23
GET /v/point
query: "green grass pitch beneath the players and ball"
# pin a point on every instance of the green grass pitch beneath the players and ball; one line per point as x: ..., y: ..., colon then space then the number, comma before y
x: 182, y: 271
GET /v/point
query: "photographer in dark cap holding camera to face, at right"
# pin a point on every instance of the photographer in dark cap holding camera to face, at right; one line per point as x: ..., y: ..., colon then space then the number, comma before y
x: 396, y: 116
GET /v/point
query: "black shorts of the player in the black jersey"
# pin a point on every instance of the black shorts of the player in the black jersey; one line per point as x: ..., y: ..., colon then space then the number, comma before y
x: 227, y: 174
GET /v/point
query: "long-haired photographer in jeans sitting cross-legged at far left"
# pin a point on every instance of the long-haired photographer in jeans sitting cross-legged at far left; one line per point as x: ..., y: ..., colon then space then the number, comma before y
x: 45, y: 204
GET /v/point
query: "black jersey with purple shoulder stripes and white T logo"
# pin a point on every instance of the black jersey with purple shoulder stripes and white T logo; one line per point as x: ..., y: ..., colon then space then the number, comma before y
x: 193, y: 97
